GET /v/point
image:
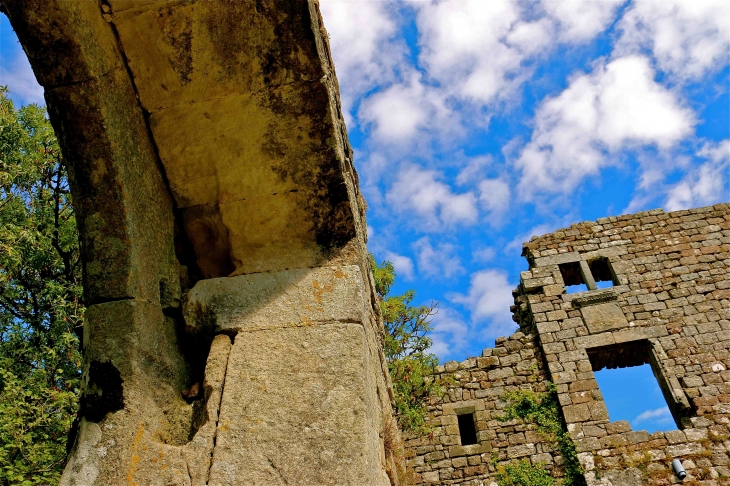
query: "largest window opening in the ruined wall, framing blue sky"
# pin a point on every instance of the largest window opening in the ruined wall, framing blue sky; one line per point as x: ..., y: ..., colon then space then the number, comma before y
x: 631, y: 387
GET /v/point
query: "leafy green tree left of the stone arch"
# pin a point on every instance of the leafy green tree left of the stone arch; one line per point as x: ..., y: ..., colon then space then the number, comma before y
x: 40, y: 299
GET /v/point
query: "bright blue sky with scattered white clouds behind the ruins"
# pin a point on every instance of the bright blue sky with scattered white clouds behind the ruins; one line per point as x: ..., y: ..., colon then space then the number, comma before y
x: 477, y: 124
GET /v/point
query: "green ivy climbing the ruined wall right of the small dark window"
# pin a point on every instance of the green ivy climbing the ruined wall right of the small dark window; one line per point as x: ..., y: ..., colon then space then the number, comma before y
x: 543, y: 410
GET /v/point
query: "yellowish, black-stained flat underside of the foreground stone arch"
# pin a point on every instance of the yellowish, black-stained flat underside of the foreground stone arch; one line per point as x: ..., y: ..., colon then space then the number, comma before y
x: 277, y: 194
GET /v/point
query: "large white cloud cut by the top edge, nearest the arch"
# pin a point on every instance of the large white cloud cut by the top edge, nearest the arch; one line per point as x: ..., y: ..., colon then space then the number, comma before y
x: 481, y: 49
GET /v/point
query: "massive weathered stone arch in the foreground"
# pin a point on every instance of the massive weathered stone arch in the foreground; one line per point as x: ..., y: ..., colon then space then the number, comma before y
x: 232, y: 334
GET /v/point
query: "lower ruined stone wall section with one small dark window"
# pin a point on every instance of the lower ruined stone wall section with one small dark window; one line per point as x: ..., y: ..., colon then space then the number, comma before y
x: 476, y: 387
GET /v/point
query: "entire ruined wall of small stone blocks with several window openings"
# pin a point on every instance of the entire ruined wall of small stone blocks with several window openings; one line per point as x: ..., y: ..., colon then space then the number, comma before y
x: 664, y: 301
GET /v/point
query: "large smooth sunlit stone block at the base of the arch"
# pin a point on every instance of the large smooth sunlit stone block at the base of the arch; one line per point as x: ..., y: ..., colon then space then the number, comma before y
x: 286, y: 418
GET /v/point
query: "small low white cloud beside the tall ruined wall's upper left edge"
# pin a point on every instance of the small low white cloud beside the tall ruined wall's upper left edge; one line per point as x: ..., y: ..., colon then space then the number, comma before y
x: 488, y: 299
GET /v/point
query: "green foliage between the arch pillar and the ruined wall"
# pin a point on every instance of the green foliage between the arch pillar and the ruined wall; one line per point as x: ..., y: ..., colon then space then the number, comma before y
x: 406, y: 349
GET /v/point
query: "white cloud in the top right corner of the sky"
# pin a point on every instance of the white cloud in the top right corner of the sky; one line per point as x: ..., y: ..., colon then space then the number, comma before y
x: 687, y: 38
